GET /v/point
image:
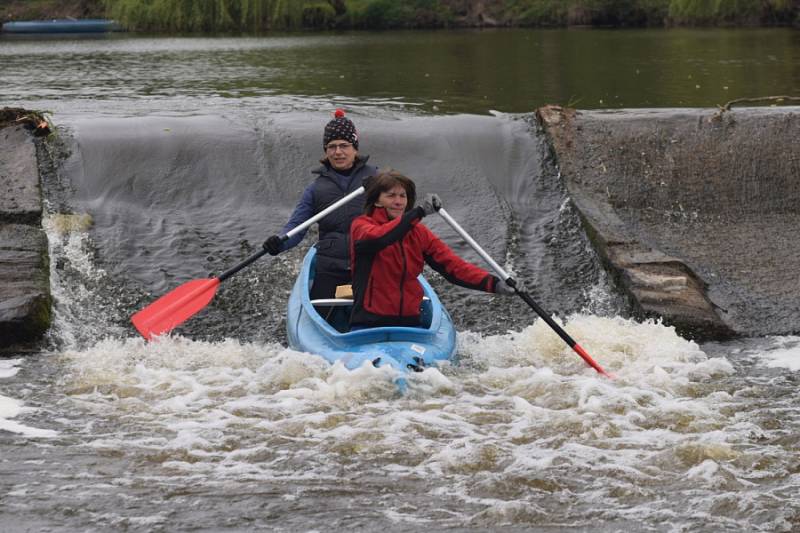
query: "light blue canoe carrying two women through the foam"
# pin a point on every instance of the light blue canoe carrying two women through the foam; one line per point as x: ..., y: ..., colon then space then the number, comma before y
x: 403, y: 348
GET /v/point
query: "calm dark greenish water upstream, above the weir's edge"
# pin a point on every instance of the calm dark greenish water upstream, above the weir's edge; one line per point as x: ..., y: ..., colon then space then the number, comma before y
x: 470, y: 71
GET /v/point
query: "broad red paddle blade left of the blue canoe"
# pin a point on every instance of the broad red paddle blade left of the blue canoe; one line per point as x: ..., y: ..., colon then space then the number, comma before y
x: 175, y: 307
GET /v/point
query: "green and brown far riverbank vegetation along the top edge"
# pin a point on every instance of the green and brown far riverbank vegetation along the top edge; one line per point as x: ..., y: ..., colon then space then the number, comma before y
x: 264, y: 15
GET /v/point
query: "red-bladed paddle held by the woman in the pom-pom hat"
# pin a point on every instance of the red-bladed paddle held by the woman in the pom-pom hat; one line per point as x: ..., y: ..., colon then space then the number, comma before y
x: 183, y: 302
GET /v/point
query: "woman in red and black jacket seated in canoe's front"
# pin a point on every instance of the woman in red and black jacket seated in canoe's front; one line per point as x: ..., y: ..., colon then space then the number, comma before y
x: 389, y: 248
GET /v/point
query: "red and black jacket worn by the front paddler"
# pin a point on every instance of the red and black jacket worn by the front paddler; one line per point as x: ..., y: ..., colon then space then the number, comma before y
x: 386, y: 258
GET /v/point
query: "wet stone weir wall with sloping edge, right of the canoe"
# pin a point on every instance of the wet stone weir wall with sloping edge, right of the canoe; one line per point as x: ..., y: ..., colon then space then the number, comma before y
x: 692, y: 211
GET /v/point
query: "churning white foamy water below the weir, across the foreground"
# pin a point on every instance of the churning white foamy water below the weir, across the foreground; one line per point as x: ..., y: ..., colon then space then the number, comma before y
x: 517, y: 432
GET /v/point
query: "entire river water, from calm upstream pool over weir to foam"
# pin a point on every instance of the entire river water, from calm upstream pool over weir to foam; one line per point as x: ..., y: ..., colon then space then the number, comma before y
x: 177, y: 156
